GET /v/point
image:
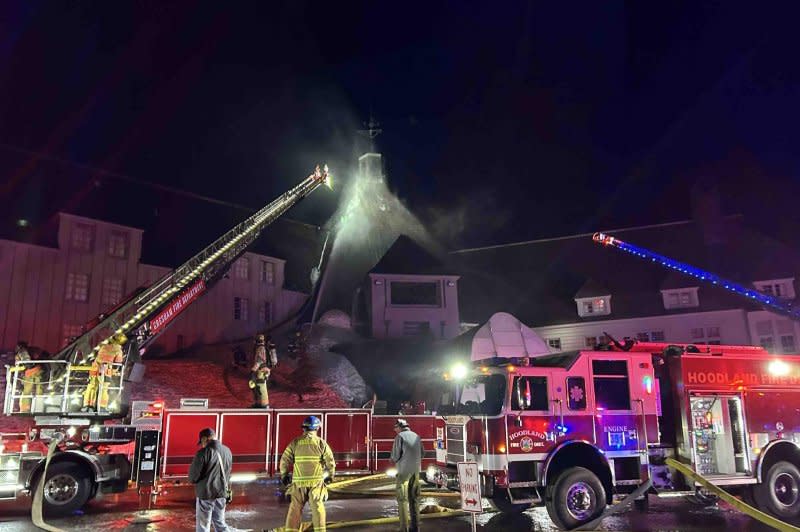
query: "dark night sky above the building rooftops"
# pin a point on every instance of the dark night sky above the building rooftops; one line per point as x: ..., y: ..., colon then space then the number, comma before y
x: 503, y: 120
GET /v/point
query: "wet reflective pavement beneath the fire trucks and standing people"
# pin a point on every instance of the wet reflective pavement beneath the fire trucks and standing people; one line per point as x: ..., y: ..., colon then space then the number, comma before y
x: 257, y: 506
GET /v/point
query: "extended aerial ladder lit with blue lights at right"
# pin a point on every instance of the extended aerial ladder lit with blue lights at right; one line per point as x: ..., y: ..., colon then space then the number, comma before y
x: 770, y: 302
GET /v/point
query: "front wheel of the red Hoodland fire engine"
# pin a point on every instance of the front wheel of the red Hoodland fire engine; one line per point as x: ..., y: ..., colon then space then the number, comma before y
x: 577, y: 497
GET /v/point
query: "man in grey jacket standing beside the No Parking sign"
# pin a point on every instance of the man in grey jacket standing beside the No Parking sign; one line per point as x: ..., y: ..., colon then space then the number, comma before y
x: 407, y: 457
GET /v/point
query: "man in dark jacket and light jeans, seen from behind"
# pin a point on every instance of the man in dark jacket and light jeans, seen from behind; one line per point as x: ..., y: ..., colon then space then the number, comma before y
x: 210, y: 473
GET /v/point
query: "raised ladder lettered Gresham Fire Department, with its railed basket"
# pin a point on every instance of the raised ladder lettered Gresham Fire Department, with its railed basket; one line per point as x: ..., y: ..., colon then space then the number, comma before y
x: 141, y: 319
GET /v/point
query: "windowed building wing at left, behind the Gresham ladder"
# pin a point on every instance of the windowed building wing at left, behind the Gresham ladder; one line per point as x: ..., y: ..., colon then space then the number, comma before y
x: 48, y: 294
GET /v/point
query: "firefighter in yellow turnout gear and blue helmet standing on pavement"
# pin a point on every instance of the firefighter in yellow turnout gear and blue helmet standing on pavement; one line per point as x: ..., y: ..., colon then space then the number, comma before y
x: 313, y: 469
